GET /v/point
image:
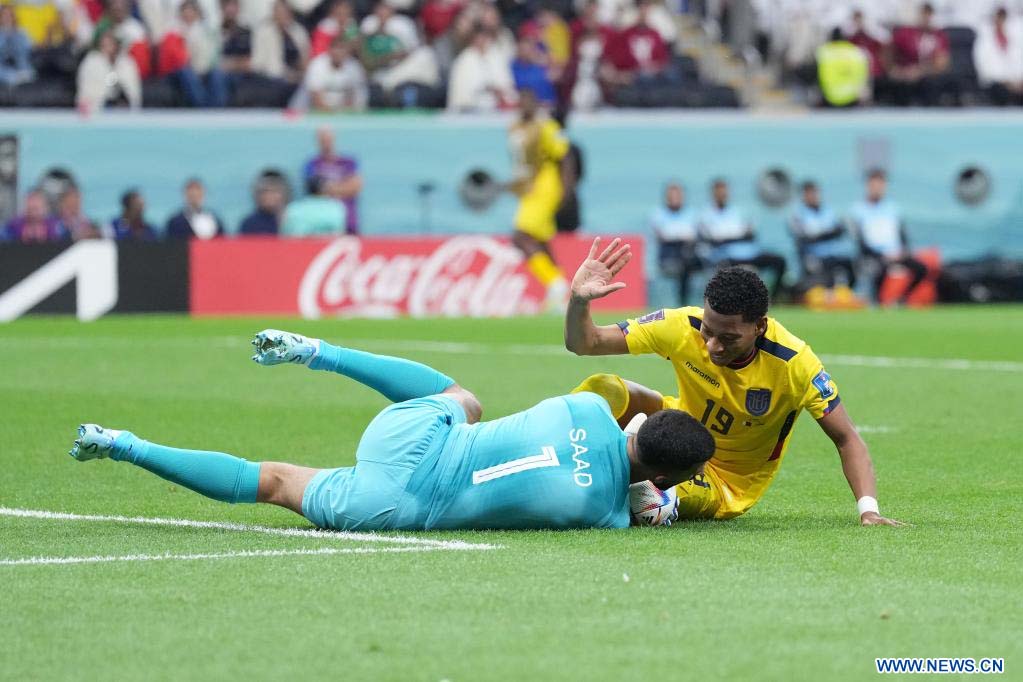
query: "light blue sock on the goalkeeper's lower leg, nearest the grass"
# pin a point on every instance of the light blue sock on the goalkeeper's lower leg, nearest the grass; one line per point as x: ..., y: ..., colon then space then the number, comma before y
x: 225, y: 478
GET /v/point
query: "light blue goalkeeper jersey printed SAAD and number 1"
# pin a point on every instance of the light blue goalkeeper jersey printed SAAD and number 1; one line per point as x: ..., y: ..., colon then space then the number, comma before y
x: 559, y: 465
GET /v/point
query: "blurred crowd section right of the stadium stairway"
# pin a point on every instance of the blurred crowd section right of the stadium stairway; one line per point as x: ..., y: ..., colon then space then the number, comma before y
x: 945, y: 53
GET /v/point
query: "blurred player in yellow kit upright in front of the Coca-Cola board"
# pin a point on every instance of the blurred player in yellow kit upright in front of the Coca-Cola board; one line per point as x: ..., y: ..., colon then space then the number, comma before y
x: 538, y: 147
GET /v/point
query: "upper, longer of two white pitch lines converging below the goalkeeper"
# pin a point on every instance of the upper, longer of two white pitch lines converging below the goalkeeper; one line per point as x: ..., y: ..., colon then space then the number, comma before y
x: 226, y: 526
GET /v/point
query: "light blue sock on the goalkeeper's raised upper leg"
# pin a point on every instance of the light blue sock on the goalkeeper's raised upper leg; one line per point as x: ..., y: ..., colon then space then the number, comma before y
x: 397, y: 379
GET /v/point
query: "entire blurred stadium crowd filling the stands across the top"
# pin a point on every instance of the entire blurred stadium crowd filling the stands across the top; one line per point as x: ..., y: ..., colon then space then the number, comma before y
x: 473, y: 56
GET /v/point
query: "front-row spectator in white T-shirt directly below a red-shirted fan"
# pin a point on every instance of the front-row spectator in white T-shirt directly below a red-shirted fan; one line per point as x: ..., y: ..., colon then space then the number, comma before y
x: 335, y: 81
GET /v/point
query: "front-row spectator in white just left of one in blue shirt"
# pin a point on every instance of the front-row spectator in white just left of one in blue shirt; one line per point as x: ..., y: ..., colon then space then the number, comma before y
x: 481, y: 77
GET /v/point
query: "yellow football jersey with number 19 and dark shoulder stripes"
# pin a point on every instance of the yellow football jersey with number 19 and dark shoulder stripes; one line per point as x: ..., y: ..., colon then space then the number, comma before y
x: 750, y: 411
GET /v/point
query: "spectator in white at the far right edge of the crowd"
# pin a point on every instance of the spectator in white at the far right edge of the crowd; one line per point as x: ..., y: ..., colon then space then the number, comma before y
x: 998, y: 55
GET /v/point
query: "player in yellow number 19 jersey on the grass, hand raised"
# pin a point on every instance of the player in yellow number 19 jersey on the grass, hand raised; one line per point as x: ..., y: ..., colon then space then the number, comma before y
x: 743, y: 375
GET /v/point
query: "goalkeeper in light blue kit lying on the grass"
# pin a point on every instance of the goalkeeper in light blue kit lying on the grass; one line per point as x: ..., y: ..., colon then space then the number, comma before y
x: 427, y: 462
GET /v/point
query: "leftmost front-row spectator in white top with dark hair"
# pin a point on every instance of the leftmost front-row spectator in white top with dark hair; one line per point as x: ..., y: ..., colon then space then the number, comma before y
x: 108, y: 76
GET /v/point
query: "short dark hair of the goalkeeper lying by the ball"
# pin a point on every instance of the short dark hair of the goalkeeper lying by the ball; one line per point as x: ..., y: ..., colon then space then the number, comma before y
x: 674, y: 441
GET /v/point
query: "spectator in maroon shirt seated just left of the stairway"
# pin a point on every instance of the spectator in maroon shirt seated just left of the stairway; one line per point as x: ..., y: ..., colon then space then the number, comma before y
x: 638, y: 56
